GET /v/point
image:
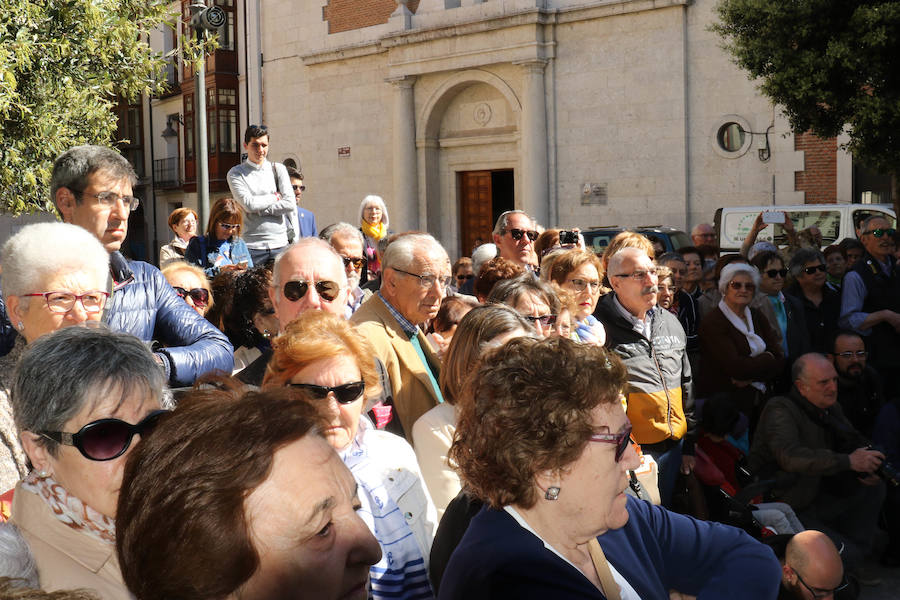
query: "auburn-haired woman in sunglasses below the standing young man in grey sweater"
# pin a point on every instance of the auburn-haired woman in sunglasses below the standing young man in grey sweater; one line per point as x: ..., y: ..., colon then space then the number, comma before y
x: 221, y: 248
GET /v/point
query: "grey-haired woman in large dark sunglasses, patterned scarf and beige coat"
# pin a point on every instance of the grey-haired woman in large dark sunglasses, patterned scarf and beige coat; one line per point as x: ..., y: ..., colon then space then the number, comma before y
x: 82, y: 398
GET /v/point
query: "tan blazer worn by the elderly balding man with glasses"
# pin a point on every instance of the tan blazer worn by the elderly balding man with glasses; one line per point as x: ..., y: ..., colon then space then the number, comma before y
x: 411, y: 388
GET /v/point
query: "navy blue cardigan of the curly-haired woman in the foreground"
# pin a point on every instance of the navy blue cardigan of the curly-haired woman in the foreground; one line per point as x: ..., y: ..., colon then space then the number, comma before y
x: 656, y: 551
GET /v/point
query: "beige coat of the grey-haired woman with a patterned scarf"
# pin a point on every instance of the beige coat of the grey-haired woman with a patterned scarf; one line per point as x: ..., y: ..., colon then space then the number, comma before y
x: 66, y: 558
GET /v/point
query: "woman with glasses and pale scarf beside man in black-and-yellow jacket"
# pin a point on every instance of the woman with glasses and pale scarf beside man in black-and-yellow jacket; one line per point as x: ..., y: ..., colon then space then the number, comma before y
x: 580, y: 272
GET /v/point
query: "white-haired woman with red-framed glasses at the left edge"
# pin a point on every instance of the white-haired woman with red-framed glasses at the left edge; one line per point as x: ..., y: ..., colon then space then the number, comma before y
x: 46, y: 286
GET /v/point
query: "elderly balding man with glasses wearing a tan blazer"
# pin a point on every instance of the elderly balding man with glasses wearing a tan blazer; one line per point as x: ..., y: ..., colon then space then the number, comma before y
x: 415, y: 276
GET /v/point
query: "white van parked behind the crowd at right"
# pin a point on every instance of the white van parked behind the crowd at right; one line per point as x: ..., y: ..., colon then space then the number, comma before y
x: 835, y: 221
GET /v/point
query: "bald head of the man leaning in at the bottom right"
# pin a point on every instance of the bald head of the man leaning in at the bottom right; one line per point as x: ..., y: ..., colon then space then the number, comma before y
x: 813, y: 556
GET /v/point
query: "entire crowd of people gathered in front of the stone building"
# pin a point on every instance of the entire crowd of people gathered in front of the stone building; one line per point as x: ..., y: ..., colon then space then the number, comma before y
x: 282, y: 412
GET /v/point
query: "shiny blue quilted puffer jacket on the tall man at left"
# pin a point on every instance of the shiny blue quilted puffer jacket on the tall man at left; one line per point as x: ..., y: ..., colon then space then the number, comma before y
x: 145, y: 305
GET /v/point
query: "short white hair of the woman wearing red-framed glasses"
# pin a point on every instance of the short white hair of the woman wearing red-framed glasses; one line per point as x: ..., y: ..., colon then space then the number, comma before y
x: 41, y: 250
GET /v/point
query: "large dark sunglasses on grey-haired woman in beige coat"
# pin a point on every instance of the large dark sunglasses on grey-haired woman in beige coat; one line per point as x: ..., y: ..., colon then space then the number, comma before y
x: 105, y: 439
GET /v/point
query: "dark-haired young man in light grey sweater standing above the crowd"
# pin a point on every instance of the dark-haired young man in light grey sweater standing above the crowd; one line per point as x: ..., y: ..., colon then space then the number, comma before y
x: 263, y: 189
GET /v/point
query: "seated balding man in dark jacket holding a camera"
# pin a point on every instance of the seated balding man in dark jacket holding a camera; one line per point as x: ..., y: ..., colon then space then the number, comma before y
x: 820, y: 463
